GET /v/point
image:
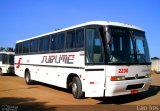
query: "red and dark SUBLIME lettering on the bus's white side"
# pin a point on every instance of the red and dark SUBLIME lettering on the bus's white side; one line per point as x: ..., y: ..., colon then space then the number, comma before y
x: 67, y: 59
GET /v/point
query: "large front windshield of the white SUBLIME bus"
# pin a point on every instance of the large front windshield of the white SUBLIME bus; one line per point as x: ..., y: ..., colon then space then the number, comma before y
x: 127, y: 46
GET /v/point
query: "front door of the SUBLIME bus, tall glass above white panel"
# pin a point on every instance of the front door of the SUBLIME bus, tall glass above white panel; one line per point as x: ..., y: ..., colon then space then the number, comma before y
x: 94, y: 64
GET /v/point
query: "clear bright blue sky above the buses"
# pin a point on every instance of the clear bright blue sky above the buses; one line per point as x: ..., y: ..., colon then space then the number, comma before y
x: 22, y: 19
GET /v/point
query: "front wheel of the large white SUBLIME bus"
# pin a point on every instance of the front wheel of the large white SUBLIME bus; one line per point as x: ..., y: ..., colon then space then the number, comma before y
x: 77, y: 88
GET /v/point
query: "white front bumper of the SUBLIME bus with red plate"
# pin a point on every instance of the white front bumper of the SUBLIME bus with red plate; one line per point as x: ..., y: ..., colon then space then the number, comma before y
x: 127, y: 87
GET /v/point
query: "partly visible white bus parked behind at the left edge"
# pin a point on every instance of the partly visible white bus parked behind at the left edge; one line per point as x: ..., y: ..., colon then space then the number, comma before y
x: 6, y: 62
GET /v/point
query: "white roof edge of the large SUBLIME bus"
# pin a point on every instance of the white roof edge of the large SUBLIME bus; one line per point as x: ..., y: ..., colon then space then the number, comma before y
x: 103, y: 23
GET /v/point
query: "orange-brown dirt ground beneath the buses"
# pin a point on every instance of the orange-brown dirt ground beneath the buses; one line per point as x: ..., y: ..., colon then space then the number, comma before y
x: 16, y: 95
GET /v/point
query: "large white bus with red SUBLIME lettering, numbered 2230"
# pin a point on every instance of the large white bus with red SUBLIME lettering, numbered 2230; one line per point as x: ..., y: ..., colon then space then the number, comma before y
x: 93, y: 59
